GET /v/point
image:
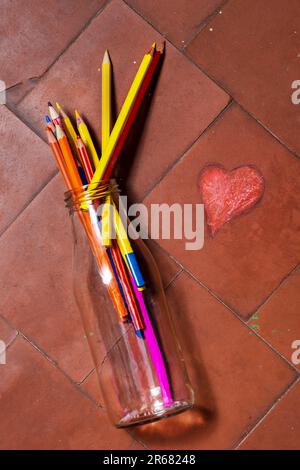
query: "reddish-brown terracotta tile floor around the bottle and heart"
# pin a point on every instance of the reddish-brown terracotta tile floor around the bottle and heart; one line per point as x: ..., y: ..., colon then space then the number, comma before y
x: 223, y: 95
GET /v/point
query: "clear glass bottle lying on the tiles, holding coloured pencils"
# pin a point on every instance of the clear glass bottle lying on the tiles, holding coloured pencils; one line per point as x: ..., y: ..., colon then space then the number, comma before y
x: 141, y: 374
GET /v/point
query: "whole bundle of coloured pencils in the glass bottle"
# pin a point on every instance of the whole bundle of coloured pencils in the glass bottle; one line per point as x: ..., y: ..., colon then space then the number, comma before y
x: 81, y: 165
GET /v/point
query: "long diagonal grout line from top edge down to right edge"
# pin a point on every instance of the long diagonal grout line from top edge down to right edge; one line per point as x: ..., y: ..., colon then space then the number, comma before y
x: 188, y: 56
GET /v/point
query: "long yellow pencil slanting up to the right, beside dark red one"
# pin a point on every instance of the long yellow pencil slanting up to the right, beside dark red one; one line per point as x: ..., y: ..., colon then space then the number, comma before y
x: 118, y: 127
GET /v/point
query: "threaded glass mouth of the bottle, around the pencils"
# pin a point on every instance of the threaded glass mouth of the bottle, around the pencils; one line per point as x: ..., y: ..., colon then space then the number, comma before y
x: 82, y: 197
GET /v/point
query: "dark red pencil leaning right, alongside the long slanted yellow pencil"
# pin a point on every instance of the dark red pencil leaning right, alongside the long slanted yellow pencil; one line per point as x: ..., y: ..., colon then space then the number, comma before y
x: 139, y: 99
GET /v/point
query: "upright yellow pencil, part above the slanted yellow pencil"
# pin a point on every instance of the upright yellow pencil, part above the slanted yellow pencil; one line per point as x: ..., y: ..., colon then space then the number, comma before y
x: 106, y: 100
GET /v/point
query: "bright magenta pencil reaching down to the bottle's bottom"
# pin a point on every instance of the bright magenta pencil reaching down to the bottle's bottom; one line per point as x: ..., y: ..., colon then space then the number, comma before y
x: 154, y: 350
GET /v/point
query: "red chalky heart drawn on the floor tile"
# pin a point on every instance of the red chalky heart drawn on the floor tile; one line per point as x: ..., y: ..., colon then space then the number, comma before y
x: 227, y: 194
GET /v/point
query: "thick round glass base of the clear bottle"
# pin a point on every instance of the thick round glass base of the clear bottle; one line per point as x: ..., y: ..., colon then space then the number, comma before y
x: 136, y: 418
